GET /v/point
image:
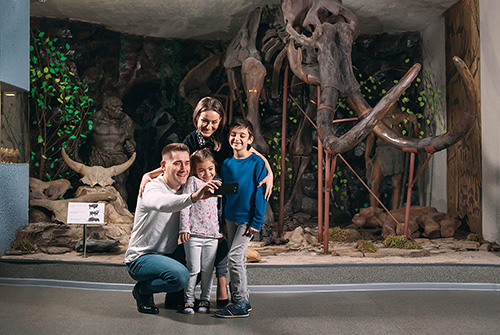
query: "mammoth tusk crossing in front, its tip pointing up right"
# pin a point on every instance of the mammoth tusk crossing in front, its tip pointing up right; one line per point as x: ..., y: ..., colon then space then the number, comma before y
x: 357, y: 133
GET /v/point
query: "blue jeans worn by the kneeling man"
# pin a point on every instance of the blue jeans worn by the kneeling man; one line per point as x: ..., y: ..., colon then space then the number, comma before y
x: 158, y: 273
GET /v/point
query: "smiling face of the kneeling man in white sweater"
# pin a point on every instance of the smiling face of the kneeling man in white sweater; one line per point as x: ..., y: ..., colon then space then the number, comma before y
x: 175, y: 168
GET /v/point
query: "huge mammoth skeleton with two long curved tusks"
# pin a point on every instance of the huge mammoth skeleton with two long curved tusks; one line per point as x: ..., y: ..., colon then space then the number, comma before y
x: 316, y: 37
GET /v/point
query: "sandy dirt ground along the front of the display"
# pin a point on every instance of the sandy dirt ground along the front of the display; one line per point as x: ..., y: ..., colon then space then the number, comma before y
x: 435, y: 251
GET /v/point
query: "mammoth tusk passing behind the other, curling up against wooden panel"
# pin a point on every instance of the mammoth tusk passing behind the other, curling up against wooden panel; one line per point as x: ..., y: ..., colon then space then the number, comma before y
x: 435, y: 143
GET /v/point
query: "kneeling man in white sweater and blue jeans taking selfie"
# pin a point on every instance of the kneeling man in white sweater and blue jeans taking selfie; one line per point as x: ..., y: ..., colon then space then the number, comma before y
x: 151, y: 257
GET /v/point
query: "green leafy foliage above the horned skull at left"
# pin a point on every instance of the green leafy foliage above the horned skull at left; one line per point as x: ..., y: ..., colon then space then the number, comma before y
x: 60, y: 107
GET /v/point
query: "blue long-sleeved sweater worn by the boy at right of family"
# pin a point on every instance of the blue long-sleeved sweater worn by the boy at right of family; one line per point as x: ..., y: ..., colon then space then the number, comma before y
x: 249, y: 204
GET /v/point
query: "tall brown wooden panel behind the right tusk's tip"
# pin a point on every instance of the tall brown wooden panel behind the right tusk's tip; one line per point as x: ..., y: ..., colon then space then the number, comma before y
x: 464, y: 175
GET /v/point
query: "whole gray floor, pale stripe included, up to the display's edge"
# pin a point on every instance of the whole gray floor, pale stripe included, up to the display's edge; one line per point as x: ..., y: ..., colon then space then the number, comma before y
x: 40, y: 297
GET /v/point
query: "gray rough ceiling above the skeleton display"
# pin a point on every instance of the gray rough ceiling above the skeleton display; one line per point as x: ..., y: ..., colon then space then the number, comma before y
x: 221, y: 19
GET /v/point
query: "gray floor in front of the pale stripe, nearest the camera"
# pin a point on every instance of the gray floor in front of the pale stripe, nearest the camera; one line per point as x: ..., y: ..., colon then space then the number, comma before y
x: 48, y: 310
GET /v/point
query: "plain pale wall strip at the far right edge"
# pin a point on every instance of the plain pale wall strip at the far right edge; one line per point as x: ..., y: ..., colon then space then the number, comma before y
x: 490, y: 95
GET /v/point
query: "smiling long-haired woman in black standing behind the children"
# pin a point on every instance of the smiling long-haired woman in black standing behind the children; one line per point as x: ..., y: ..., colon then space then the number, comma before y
x: 210, y: 120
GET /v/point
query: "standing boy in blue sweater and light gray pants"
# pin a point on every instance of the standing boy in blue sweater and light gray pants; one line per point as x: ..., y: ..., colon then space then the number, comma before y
x: 244, y: 212
